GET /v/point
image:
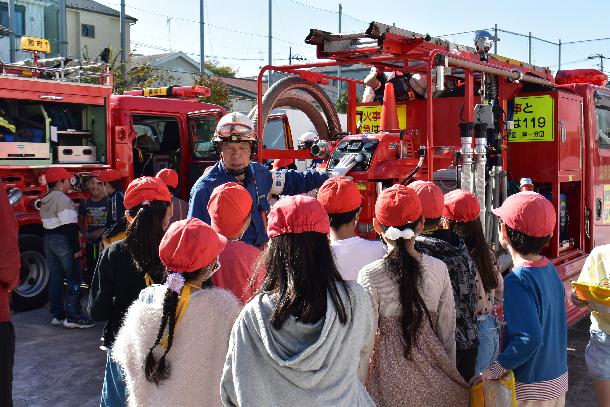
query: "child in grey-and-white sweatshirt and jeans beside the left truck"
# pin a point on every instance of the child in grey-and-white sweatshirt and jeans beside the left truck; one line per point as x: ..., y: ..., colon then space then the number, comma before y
x: 62, y: 248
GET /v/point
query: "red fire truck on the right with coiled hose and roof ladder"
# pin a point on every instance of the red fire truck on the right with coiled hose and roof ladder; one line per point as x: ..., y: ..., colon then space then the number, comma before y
x: 464, y: 118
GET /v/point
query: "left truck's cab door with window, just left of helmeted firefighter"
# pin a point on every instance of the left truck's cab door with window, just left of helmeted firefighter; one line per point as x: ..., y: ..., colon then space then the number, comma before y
x: 202, y: 153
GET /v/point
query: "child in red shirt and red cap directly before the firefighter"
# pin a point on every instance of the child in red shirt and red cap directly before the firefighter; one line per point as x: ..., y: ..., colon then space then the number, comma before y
x: 229, y: 207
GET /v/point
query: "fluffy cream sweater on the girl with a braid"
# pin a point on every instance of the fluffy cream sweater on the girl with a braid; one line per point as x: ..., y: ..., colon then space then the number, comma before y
x: 197, y: 355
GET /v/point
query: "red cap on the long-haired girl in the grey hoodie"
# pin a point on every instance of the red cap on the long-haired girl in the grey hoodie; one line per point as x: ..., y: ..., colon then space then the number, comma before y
x: 297, y: 214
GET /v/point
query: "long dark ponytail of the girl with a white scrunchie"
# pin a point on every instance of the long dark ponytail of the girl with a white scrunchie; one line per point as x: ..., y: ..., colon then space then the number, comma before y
x: 407, y: 271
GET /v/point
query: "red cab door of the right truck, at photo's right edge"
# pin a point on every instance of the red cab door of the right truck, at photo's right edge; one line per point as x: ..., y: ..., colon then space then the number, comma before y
x: 600, y: 155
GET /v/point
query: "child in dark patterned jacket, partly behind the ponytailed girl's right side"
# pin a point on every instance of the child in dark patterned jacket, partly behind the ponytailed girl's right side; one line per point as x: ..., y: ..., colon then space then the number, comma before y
x: 451, y: 249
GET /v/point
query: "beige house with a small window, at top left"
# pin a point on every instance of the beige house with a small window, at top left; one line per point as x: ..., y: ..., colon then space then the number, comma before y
x: 92, y: 27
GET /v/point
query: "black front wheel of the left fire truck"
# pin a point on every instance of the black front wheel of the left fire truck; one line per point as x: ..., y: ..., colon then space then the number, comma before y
x: 32, y: 290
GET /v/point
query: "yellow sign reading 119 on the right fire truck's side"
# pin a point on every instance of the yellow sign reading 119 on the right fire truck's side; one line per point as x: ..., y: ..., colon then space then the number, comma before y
x: 533, y: 119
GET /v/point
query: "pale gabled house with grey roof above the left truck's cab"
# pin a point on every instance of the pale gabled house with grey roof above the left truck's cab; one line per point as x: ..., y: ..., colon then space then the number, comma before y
x: 178, y: 67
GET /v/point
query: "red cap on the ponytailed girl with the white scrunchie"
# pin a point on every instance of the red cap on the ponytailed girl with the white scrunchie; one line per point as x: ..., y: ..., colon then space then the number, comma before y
x: 397, y: 206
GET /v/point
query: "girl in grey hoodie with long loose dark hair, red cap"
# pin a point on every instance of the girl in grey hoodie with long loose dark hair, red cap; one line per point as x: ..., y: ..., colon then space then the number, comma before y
x: 294, y: 343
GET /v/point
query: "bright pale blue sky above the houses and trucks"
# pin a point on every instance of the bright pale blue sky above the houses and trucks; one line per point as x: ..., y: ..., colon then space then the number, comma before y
x: 236, y: 30
